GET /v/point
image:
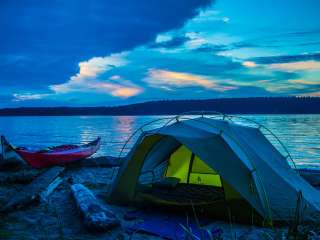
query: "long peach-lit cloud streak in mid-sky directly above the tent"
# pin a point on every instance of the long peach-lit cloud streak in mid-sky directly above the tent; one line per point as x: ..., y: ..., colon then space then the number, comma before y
x: 169, y: 79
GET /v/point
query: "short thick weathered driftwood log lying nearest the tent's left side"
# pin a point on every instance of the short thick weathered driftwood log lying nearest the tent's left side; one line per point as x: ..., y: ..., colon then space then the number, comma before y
x: 96, y: 216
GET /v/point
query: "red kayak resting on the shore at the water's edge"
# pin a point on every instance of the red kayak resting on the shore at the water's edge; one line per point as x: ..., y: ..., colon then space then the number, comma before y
x: 55, y: 155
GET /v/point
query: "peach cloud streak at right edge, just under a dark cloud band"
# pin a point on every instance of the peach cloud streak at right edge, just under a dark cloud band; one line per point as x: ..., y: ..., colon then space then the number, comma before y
x: 296, y: 66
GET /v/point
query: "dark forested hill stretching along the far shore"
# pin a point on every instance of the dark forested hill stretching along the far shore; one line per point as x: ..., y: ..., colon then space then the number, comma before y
x: 259, y: 105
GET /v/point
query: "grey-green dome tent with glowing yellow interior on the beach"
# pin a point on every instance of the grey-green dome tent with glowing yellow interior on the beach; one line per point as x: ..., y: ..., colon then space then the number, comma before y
x: 237, y: 159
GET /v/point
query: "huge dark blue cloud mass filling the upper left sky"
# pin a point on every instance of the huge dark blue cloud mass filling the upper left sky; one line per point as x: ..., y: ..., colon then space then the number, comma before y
x: 42, y: 42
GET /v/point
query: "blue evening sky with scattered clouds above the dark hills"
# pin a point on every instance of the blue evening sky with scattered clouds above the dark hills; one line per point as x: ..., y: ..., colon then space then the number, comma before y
x: 97, y: 53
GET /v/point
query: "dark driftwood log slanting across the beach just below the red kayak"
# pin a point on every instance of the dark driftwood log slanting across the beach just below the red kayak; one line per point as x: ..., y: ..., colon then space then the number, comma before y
x: 31, y: 192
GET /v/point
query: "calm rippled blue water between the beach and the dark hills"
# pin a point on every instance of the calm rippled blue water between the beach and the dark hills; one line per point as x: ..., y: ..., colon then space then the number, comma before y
x: 299, y: 133
